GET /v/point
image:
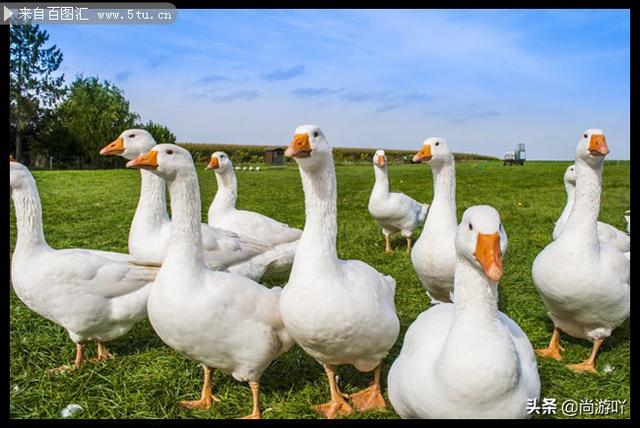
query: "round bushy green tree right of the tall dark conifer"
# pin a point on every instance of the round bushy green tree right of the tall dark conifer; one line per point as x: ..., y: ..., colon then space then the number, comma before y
x: 93, y: 114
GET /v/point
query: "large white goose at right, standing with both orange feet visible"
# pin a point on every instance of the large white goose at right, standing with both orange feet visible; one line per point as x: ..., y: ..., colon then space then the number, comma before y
x: 584, y: 283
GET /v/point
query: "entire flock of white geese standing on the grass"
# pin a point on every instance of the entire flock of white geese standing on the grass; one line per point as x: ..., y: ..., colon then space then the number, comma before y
x: 198, y: 283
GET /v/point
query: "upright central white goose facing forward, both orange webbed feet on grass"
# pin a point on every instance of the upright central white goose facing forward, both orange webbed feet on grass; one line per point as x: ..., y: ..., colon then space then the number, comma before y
x: 338, y: 311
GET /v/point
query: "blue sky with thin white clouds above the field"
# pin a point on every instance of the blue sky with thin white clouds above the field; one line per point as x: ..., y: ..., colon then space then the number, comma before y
x: 483, y: 79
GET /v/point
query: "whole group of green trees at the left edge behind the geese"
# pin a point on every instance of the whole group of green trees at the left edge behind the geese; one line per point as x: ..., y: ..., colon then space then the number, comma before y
x: 50, y: 118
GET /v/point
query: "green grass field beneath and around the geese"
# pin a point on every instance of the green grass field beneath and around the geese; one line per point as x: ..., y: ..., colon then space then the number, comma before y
x: 93, y: 209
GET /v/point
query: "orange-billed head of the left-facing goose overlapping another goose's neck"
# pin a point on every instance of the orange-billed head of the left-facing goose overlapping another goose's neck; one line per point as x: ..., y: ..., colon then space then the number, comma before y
x: 165, y: 160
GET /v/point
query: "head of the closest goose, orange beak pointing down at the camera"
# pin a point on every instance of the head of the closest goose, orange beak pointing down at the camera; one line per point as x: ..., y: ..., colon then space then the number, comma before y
x: 481, y: 239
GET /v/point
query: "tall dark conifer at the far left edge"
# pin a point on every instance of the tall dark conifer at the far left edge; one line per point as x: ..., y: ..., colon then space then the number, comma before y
x: 33, y: 88
